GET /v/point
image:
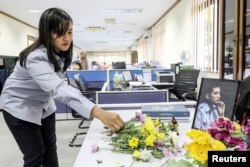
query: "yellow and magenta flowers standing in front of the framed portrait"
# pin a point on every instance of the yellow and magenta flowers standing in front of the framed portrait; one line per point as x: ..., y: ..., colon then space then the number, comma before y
x: 222, y: 135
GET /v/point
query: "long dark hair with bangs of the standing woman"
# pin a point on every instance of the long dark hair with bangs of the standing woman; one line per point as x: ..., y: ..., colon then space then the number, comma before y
x: 53, y: 20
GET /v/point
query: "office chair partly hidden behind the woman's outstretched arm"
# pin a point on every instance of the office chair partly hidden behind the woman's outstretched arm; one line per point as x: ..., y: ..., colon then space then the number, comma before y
x: 80, y: 83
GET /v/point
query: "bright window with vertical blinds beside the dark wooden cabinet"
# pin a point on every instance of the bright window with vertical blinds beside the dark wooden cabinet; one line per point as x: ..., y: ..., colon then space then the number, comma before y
x: 205, y: 16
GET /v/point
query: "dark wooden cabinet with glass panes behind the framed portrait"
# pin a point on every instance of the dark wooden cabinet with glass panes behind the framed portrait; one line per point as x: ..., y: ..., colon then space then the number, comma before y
x: 234, y: 39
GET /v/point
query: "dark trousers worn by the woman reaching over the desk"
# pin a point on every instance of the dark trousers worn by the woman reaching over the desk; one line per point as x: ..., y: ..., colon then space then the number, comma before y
x: 37, y: 143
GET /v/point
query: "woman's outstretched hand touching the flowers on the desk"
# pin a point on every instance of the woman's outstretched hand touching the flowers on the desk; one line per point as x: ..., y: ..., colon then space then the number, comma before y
x: 111, y: 120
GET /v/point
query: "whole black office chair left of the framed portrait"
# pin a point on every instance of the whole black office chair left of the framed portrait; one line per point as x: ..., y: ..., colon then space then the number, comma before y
x: 184, y: 86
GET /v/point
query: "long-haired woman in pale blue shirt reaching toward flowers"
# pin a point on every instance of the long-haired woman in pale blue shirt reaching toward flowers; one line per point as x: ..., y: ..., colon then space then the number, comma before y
x: 28, y: 95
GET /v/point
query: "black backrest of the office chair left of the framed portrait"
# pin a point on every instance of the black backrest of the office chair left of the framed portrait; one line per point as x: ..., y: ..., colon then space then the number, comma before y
x: 186, y: 81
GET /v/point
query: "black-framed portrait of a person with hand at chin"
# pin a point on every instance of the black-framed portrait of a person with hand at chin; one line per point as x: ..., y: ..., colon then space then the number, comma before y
x: 217, y: 97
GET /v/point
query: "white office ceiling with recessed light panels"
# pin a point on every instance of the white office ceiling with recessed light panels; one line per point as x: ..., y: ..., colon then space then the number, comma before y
x: 120, y: 30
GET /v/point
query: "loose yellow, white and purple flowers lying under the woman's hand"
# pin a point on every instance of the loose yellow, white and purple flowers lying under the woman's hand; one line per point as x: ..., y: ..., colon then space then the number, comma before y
x: 143, y: 138
